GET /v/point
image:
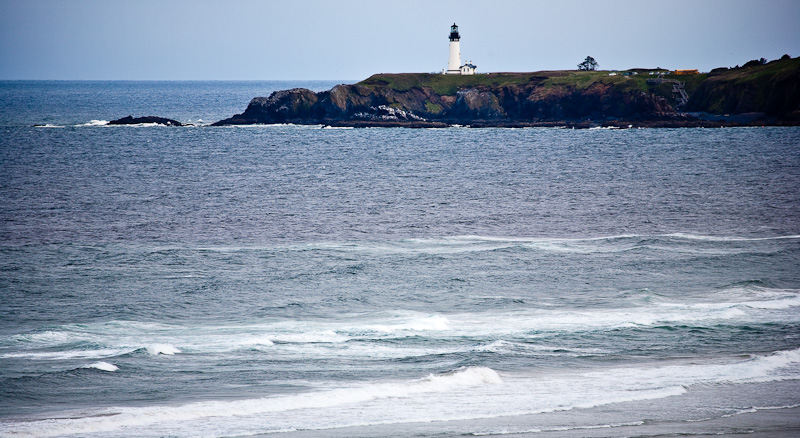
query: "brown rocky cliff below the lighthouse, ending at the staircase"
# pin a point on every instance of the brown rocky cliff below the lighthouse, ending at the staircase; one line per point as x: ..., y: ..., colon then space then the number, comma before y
x: 379, y: 99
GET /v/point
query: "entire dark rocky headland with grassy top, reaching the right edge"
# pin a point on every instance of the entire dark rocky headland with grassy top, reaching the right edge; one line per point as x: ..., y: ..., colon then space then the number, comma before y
x: 501, y: 99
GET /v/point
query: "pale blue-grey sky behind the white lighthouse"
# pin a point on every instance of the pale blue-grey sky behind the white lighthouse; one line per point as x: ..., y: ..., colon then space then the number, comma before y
x: 351, y: 40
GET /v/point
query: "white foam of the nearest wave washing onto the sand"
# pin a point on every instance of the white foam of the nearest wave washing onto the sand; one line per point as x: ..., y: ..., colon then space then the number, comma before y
x: 464, y: 394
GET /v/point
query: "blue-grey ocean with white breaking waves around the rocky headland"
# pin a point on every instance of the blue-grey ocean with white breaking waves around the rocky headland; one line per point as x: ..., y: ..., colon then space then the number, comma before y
x: 302, y: 281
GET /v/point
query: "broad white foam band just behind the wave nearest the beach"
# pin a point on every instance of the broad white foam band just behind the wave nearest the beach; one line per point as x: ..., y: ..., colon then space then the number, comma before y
x: 316, y: 338
